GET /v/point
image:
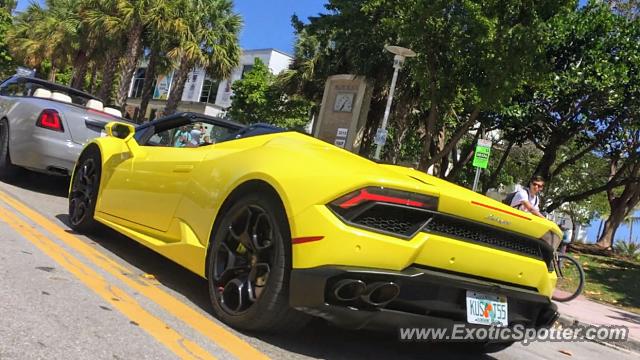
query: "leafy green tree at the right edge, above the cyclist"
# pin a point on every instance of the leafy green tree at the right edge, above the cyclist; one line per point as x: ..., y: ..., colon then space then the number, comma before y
x: 577, y: 97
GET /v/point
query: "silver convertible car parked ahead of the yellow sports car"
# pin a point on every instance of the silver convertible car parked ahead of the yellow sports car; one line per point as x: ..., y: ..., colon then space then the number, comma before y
x: 44, y: 126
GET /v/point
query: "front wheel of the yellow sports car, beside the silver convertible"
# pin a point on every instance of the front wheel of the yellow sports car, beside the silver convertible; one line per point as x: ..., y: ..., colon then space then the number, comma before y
x: 84, y: 191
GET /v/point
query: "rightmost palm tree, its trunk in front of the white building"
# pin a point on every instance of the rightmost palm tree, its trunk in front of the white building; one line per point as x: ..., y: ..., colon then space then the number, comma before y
x: 211, y: 42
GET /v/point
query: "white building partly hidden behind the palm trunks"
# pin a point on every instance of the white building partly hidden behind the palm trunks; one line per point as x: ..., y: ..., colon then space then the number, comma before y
x: 201, y: 93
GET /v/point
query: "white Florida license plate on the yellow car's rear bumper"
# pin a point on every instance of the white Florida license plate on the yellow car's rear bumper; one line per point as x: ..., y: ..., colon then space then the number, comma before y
x: 486, y: 309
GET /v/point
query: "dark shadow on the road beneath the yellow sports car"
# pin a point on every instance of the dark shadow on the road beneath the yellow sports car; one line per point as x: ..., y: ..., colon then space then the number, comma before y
x: 318, y: 339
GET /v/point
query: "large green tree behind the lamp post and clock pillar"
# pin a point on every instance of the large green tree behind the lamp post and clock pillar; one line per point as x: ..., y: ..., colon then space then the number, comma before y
x: 472, y: 56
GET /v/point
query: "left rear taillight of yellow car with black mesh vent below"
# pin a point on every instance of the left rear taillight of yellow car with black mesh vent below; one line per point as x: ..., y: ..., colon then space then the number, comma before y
x: 390, y: 211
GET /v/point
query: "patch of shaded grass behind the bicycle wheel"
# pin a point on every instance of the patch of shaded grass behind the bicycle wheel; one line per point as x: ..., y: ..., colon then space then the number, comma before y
x: 610, y: 280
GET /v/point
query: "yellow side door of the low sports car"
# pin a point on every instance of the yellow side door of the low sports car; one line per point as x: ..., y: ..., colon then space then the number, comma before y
x: 152, y: 182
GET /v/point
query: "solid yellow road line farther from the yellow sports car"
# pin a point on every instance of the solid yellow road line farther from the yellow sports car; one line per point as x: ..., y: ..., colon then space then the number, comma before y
x: 115, y: 296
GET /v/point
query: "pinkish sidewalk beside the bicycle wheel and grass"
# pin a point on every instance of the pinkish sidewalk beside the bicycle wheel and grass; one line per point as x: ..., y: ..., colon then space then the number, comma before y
x: 588, y: 312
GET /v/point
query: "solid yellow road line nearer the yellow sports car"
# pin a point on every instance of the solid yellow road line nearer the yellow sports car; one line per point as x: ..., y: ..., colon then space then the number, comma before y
x: 191, y: 317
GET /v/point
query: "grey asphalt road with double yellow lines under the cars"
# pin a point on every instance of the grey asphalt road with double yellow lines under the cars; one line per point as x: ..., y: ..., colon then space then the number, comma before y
x: 68, y: 296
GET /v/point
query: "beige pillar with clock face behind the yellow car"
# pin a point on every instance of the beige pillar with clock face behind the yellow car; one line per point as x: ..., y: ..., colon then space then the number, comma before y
x: 343, y: 113
